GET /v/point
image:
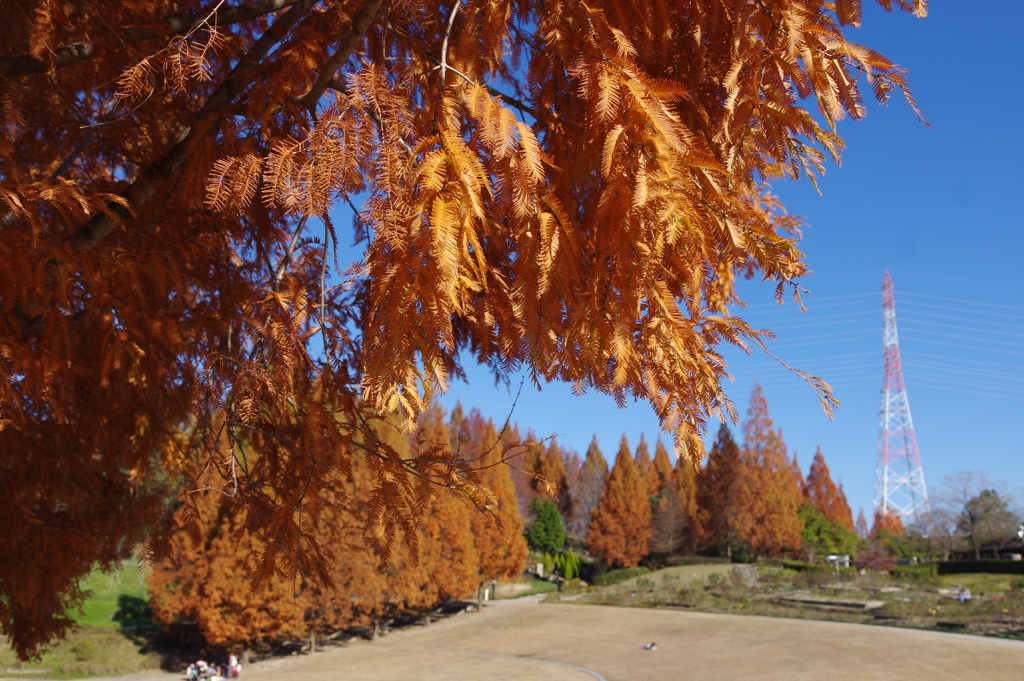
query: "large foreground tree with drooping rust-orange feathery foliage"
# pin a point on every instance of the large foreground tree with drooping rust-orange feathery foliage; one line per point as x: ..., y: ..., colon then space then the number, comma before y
x: 571, y: 188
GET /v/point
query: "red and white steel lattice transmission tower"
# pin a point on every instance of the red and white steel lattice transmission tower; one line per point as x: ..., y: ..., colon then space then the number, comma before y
x: 900, y: 481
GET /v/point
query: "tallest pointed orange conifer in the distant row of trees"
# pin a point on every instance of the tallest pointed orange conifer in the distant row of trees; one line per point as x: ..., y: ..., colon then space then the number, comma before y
x: 769, y: 495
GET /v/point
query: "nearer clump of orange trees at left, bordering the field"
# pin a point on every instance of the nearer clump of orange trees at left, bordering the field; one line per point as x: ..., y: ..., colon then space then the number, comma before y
x: 206, y: 579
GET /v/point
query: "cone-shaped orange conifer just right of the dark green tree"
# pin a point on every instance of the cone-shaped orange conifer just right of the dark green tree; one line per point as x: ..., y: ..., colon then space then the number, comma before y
x: 621, y: 526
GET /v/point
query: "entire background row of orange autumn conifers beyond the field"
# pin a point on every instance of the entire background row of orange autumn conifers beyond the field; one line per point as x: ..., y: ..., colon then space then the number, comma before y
x: 226, y: 583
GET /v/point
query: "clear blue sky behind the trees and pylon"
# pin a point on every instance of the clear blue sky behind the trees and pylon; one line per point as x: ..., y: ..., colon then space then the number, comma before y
x: 940, y: 207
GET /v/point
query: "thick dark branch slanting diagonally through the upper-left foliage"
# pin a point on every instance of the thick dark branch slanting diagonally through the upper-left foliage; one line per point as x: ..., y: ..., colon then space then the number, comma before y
x: 205, y: 120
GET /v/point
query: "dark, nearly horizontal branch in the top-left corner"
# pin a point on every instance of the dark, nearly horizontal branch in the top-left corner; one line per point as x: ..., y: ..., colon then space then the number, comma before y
x: 26, y: 65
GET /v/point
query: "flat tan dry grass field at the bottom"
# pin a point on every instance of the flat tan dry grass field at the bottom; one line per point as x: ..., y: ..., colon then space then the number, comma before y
x: 565, y: 643
